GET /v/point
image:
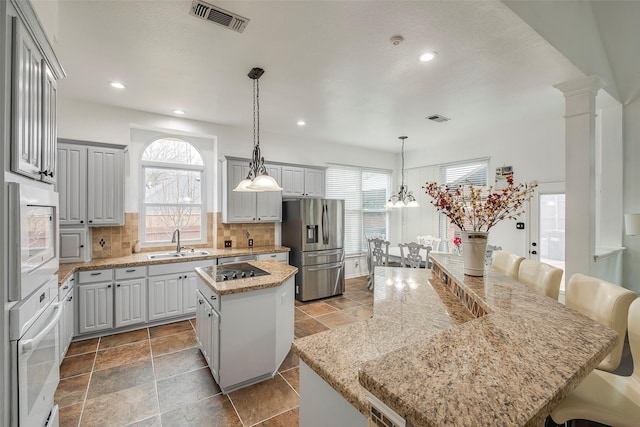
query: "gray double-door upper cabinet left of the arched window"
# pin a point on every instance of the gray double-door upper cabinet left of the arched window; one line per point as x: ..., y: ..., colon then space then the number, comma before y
x: 90, y: 182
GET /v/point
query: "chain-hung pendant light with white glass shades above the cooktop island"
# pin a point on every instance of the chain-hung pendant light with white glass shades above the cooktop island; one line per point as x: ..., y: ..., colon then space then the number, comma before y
x: 258, y: 178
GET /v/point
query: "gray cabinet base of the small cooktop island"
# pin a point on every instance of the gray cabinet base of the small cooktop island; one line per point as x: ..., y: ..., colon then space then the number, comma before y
x: 244, y: 349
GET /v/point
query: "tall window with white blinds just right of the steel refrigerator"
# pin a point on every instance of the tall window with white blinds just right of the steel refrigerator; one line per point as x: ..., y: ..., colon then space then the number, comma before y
x: 365, y: 192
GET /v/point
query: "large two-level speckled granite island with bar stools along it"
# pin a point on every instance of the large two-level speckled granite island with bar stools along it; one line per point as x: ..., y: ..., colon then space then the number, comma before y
x: 443, y: 348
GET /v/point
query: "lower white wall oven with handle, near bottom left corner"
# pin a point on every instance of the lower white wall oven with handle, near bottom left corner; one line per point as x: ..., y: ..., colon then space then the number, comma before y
x: 35, y: 357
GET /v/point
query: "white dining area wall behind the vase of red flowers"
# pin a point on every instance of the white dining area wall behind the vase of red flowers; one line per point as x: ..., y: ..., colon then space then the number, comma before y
x: 534, y: 149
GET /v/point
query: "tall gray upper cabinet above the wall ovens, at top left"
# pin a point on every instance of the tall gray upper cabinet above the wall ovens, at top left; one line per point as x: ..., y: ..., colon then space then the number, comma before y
x: 34, y: 72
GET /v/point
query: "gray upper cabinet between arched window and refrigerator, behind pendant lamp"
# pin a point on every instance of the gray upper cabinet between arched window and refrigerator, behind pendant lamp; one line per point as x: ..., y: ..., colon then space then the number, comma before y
x: 245, y: 207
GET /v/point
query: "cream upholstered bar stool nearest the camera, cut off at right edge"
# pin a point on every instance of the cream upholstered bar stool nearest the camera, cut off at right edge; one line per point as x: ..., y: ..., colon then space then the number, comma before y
x: 604, y: 397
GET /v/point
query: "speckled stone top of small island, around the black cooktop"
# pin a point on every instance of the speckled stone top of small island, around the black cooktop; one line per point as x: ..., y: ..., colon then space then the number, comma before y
x: 278, y: 274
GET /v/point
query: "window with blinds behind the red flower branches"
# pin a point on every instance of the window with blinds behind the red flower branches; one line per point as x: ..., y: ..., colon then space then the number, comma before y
x: 474, y: 172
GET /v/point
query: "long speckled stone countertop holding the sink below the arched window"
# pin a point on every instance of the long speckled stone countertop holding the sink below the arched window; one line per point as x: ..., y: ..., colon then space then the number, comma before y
x: 66, y: 270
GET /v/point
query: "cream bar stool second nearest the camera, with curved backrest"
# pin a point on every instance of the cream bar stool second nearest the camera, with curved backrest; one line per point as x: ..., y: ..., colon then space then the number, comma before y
x: 607, y: 304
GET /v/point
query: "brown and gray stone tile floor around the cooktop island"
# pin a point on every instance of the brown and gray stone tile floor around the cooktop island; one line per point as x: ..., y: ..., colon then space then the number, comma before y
x: 157, y: 376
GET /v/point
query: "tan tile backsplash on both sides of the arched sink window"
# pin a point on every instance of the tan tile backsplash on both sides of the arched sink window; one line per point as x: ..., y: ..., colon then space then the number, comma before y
x: 114, y: 242
